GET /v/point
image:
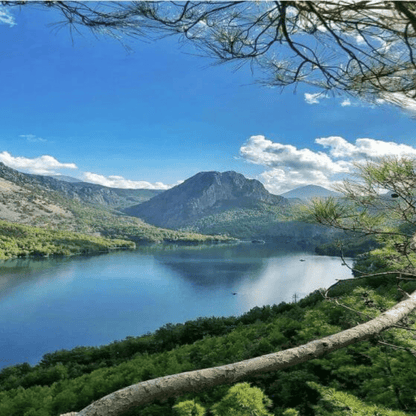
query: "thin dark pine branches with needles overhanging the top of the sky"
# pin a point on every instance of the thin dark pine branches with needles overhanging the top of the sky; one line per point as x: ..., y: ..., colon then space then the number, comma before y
x: 364, y: 48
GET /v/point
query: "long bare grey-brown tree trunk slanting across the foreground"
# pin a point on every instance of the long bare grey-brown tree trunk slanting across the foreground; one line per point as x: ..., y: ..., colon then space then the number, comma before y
x: 194, y: 381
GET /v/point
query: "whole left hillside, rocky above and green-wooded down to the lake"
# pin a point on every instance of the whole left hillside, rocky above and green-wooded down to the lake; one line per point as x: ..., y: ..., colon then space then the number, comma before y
x: 73, y: 209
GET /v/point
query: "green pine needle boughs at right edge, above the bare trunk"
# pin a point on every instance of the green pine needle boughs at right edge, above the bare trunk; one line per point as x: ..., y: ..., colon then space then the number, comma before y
x: 389, y: 217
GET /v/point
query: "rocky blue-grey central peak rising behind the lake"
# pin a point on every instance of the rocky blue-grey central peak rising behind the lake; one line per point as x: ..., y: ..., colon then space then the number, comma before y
x: 202, y: 195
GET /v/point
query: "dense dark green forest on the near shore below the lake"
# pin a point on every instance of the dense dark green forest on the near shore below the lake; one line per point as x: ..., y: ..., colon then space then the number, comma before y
x: 374, y: 377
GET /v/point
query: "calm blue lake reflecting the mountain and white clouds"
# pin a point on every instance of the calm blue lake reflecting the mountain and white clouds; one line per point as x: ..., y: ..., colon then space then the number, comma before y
x: 52, y: 304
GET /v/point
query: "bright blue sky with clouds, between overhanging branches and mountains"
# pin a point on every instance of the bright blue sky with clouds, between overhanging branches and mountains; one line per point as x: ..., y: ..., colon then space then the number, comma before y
x: 157, y: 114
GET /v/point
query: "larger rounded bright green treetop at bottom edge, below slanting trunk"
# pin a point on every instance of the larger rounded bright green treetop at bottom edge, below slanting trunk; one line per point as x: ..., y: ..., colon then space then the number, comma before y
x: 243, y: 400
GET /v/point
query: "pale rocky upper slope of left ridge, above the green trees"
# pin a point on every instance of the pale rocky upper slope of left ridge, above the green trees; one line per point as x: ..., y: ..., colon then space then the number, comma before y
x: 42, y: 200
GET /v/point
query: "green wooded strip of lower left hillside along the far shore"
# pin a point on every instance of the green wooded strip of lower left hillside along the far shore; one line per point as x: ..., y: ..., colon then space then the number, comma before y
x: 18, y: 240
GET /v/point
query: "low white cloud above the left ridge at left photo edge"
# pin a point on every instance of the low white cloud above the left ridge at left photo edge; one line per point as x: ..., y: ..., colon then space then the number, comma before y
x: 42, y: 165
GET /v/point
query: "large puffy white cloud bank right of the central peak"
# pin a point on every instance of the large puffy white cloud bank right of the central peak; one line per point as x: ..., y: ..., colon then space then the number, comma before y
x: 287, y: 167
